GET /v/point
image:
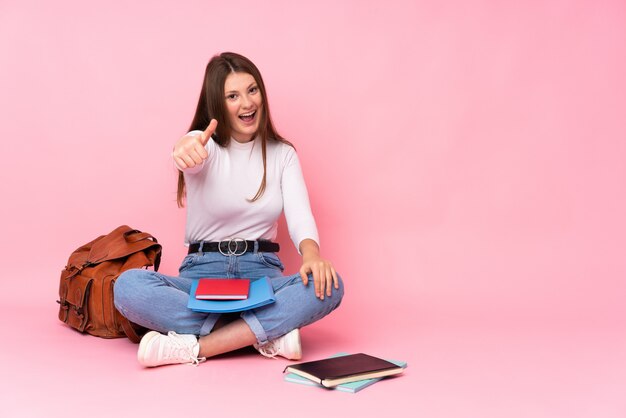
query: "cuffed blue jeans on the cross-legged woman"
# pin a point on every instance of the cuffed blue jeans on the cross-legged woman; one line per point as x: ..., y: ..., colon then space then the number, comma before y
x: 159, y: 302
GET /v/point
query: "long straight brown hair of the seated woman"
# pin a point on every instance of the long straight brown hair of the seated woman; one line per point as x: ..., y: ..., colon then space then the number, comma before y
x: 212, y: 105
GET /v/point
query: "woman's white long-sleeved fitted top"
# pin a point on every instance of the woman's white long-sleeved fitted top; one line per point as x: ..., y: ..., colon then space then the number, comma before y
x: 218, y: 193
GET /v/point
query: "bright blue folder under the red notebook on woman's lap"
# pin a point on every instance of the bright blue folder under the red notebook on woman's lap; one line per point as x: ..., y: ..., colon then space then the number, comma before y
x: 261, y: 294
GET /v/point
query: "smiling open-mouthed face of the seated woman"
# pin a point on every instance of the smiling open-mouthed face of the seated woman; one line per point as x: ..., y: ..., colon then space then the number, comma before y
x: 244, y: 105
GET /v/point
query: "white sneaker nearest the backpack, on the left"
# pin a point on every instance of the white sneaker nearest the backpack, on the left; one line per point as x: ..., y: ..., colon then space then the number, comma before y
x: 156, y: 349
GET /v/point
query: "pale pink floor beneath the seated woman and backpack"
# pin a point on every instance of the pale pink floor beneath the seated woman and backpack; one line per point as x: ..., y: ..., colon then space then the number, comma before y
x: 466, y: 370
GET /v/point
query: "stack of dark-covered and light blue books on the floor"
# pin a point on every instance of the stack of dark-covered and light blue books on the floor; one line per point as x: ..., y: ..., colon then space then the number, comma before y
x: 343, y: 372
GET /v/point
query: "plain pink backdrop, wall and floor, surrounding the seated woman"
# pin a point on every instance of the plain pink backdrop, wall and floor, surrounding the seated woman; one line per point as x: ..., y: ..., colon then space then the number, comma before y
x: 465, y: 162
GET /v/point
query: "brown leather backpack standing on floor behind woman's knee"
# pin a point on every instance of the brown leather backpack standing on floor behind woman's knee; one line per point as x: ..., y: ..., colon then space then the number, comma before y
x: 86, y: 288
